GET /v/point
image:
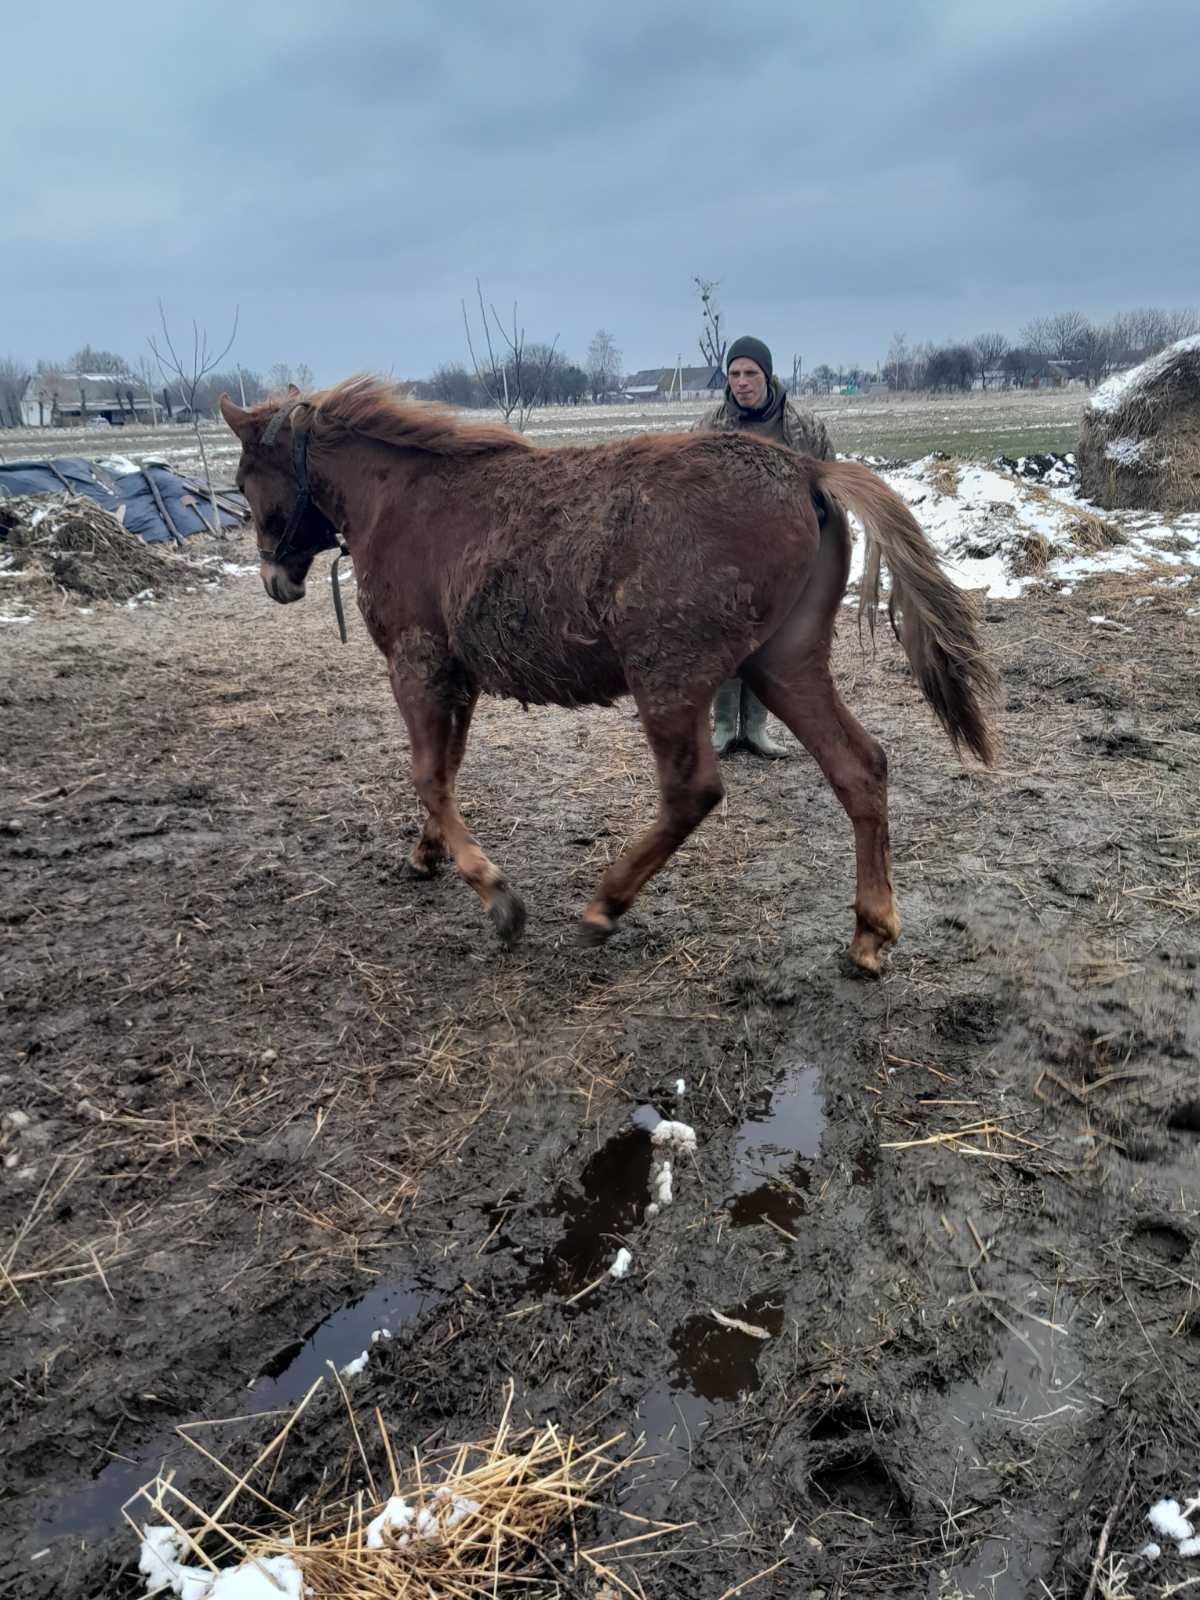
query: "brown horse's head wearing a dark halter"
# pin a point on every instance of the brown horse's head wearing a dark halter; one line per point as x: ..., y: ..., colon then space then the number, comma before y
x: 274, y: 478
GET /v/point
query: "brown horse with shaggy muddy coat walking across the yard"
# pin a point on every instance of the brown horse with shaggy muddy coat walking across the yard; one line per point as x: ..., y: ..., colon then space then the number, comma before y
x: 655, y: 567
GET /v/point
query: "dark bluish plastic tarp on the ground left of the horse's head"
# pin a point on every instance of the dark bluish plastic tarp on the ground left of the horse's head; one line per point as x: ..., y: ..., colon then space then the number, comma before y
x: 180, y: 494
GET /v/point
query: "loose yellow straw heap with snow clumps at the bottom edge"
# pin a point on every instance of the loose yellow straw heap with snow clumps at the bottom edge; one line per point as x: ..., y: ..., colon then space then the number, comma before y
x: 463, y: 1522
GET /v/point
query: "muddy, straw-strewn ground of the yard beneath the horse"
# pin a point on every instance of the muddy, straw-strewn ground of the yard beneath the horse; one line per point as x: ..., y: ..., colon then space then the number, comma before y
x: 271, y: 1095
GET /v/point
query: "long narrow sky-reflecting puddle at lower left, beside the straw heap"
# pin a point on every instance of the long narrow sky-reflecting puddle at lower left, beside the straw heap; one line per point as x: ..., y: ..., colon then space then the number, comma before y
x: 95, y: 1508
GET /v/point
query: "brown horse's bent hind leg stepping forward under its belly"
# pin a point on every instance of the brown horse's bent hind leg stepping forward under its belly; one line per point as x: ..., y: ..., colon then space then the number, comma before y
x: 690, y: 786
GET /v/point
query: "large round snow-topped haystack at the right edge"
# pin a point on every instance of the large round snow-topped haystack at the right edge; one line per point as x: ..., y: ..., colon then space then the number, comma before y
x: 1142, y: 436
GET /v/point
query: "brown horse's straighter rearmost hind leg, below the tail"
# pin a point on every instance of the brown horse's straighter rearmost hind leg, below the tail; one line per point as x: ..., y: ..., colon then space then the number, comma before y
x: 857, y: 770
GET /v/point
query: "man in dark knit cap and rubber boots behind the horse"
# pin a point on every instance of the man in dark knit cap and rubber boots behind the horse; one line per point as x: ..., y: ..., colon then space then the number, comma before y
x: 756, y: 402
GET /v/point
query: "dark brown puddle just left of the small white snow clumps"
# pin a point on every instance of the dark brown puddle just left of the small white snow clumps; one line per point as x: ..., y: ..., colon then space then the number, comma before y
x: 614, y: 1201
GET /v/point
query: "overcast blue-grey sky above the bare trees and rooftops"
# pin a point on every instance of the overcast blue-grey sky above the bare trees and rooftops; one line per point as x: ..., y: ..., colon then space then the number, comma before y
x: 345, y: 172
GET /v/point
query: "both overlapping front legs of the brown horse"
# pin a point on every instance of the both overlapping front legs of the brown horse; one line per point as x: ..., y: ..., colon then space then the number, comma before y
x: 438, y: 716
